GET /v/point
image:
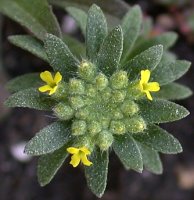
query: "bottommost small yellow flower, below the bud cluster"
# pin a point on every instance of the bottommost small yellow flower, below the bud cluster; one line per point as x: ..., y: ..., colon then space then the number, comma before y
x: 79, y: 154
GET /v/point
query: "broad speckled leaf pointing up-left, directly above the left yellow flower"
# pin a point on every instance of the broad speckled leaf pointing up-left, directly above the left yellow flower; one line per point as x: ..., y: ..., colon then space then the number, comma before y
x: 60, y: 57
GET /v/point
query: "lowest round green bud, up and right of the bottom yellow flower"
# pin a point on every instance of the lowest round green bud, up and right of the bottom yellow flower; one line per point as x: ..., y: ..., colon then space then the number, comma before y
x: 104, y: 140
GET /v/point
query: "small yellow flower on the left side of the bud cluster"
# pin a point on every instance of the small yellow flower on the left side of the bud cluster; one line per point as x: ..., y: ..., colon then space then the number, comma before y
x: 51, y: 83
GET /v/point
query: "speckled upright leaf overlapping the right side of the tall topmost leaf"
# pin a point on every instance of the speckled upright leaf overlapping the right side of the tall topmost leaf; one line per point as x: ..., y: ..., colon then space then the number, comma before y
x: 111, y: 51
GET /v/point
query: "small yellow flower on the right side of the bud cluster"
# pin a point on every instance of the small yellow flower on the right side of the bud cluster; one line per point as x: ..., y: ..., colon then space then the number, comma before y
x: 148, y: 87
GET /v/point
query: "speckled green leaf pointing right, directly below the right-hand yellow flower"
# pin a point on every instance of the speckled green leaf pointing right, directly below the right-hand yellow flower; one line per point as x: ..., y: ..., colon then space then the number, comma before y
x: 161, y: 111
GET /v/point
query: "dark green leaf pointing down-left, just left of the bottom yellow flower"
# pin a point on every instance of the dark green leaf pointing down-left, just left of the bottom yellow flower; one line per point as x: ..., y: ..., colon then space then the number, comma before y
x: 49, y: 164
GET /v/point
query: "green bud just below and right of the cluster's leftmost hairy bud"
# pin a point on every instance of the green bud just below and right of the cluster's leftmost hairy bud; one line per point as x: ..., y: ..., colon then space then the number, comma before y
x: 78, y: 127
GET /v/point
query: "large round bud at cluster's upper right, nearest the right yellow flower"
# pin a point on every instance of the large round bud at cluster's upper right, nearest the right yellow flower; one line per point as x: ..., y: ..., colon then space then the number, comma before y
x: 119, y: 80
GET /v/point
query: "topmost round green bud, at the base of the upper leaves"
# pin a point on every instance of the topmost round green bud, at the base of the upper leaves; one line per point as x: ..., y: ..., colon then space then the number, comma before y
x: 87, y: 70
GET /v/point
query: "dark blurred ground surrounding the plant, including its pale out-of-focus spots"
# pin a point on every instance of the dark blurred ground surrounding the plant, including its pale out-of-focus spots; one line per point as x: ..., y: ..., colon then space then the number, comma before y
x: 18, y: 179
